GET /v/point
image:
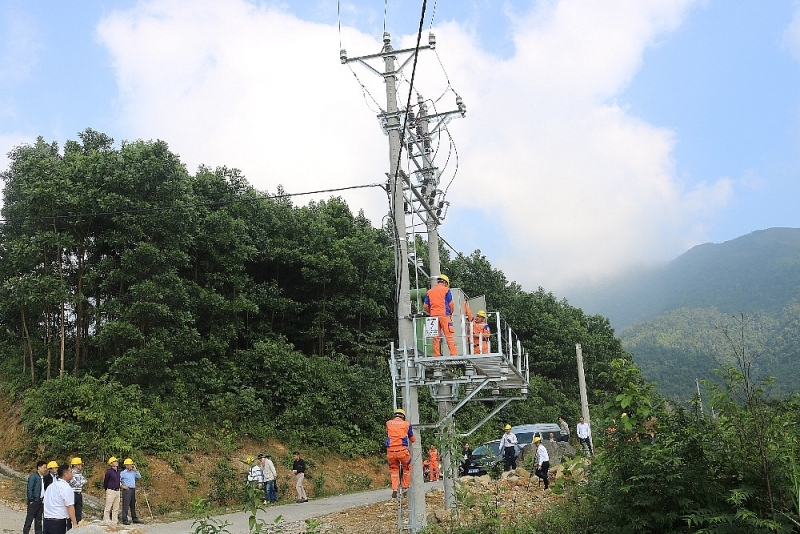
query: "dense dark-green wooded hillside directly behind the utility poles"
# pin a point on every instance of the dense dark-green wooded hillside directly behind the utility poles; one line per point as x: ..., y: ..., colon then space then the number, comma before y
x: 137, y: 297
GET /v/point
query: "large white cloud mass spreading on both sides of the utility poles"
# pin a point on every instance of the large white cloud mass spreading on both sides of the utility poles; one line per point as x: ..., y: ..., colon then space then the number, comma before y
x: 582, y: 187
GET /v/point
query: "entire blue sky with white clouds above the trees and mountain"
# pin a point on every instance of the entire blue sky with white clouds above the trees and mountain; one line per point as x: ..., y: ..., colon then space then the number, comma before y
x: 600, y: 134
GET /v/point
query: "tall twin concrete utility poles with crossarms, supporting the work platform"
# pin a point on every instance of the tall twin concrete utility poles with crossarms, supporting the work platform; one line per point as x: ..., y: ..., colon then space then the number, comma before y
x: 404, y: 130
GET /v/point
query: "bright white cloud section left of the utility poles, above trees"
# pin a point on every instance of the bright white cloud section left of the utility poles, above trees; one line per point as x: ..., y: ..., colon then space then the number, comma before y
x: 228, y: 83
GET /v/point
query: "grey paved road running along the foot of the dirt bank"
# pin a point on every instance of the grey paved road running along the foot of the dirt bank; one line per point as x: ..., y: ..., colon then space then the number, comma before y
x: 289, y: 512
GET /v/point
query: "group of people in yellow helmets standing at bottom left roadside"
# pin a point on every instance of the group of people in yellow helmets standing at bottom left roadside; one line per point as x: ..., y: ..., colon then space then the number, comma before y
x: 55, y: 495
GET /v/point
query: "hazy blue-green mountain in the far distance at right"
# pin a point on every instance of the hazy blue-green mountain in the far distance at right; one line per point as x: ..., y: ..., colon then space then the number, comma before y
x: 674, y: 317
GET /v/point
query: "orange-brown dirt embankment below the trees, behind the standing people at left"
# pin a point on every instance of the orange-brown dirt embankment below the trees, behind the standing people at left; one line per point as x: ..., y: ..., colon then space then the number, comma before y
x: 172, y: 482
